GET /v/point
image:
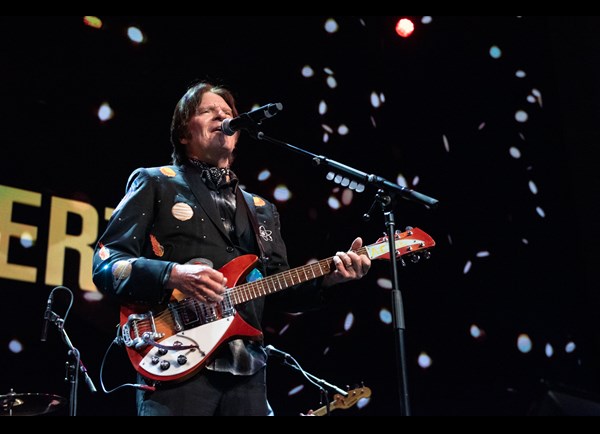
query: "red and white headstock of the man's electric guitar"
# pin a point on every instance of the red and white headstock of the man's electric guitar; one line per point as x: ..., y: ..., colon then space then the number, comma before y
x: 413, y: 242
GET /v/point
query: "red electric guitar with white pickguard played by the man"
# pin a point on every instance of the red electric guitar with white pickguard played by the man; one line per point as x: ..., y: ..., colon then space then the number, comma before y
x: 175, y: 342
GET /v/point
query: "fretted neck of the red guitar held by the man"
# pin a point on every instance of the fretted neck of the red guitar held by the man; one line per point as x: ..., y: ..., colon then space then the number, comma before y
x: 280, y: 281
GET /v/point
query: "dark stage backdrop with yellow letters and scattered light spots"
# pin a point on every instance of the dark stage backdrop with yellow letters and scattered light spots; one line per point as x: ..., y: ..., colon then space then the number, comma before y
x: 497, y: 117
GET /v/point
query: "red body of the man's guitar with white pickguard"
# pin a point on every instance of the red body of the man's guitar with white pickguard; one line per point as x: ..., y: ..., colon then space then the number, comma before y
x: 211, y: 327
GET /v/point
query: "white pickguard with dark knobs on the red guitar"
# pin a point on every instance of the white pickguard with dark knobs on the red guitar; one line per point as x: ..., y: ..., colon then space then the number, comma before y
x: 207, y: 337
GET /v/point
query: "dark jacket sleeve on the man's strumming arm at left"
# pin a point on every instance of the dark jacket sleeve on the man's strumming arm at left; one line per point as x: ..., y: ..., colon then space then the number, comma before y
x: 119, y: 268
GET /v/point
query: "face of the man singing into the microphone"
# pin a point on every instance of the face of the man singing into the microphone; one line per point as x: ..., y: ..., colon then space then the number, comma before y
x: 205, y: 141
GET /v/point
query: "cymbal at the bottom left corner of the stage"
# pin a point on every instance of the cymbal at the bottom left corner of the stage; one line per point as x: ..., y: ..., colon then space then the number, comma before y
x: 29, y: 404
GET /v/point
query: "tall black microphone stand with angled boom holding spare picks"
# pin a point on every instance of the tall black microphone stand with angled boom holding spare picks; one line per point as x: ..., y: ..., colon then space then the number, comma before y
x: 386, y: 190
